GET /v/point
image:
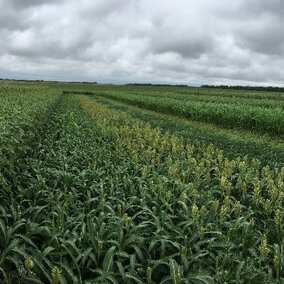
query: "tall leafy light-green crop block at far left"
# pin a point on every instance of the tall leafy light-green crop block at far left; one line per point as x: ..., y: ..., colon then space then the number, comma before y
x: 22, y: 111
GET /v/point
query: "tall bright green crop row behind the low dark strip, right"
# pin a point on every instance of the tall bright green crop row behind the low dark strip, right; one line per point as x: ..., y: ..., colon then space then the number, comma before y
x: 255, y: 119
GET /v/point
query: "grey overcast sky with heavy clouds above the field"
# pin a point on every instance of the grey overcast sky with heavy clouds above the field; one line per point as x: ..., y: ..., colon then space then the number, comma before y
x: 165, y: 41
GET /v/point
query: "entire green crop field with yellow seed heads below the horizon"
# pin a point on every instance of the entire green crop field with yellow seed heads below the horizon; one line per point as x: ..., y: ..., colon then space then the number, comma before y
x: 140, y: 184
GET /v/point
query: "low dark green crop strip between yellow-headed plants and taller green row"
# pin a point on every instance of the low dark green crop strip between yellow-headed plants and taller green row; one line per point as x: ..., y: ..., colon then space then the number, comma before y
x: 233, y: 143
